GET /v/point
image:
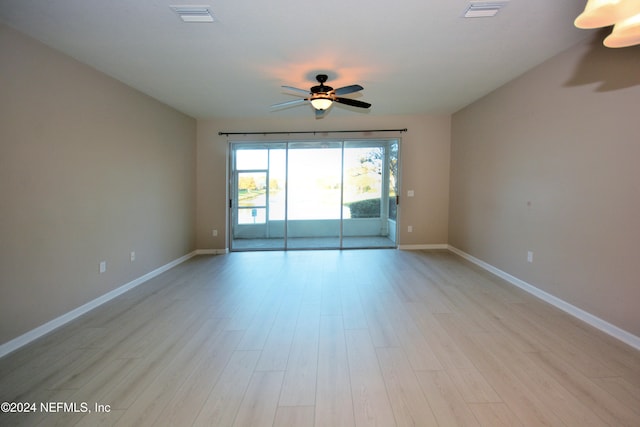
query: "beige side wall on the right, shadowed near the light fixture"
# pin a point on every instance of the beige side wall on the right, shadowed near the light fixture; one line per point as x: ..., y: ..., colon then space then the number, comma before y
x: 549, y: 163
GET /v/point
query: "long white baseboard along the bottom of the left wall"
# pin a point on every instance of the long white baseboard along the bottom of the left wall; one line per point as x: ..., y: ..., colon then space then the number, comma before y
x: 41, y: 330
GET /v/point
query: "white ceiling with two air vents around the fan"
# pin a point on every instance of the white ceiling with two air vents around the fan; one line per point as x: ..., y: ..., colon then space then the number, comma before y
x: 411, y: 56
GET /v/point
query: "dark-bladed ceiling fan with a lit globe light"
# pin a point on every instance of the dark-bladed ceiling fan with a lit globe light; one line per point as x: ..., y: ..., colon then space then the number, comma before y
x: 322, y: 97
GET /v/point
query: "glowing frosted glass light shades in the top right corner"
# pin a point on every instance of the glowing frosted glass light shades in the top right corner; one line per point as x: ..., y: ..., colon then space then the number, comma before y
x: 624, y: 15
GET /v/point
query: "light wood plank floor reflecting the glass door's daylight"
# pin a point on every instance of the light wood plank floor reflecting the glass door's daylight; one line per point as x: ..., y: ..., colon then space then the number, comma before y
x: 327, y: 338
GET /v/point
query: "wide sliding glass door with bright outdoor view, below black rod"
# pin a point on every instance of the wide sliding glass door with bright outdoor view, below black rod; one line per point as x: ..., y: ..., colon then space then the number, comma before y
x: 306, y: 195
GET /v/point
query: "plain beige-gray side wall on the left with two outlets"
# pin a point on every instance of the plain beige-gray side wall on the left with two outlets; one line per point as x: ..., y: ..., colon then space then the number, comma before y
x: 90, y: 170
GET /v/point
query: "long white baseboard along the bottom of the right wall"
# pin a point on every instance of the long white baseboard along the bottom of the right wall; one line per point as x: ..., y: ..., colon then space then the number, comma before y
x: 596, y: 322
